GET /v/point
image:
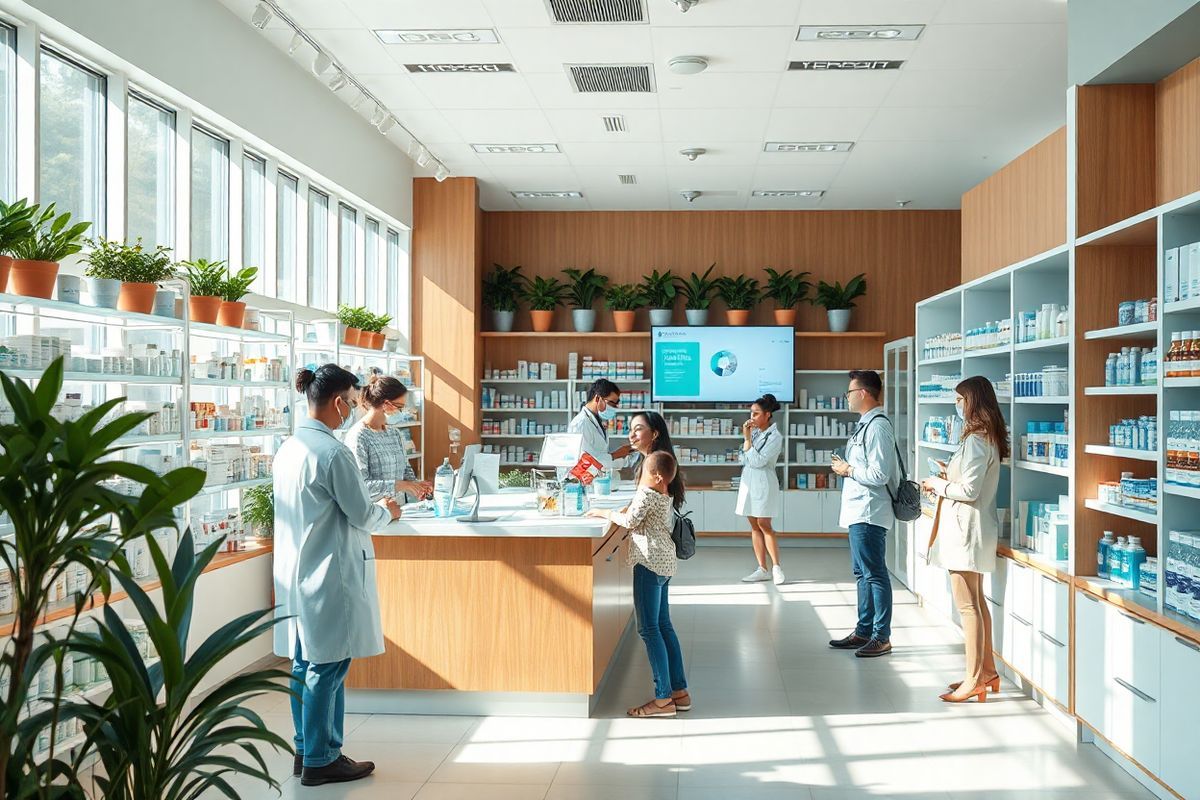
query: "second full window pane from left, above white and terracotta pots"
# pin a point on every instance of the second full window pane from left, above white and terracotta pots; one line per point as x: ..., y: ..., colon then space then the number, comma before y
x: 152, y: 166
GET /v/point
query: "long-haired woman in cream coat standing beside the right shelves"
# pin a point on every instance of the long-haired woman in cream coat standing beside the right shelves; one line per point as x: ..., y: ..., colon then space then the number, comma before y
x: 968, y: 528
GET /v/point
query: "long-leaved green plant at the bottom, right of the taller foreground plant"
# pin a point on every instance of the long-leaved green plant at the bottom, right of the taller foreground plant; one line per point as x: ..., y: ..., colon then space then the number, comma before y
x: 158, y: 736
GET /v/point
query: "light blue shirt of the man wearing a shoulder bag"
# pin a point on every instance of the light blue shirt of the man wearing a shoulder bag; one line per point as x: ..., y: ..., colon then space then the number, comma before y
x: 872, y: 454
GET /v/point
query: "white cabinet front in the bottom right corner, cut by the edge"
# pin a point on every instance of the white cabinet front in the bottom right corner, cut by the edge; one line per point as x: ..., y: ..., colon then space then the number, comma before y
x: 1179, y: 763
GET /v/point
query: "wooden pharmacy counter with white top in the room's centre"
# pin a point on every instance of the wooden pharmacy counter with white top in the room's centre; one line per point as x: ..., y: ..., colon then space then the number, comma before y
x: 520, y: 617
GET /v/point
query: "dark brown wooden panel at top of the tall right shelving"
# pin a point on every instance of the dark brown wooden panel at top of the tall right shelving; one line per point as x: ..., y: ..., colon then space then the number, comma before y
x: 1115, y: 172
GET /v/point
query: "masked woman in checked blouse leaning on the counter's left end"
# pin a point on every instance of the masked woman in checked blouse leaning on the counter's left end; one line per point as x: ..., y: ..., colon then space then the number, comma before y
x: 379, y: 446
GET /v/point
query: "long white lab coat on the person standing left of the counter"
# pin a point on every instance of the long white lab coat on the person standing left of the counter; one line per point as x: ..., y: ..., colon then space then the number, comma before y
x: 325, y: 561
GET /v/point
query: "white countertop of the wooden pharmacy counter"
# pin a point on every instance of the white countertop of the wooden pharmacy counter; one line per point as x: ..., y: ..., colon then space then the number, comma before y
x: 517, y: 516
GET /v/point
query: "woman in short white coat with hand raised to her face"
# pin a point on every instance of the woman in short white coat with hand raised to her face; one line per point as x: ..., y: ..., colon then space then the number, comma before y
x: 759, y: 491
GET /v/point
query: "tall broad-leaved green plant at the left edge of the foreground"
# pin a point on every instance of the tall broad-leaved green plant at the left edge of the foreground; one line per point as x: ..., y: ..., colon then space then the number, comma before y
x: 73, y: 506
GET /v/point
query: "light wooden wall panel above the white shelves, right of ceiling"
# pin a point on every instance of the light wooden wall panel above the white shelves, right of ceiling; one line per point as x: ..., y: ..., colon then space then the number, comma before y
x: 1019, y: 212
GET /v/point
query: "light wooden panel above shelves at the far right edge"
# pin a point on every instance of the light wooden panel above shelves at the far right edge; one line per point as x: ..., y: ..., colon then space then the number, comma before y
x: 1178, y: 133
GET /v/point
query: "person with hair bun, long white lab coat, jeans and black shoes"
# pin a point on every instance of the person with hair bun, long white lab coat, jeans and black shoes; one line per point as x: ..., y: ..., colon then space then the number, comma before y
x: 325, y: 573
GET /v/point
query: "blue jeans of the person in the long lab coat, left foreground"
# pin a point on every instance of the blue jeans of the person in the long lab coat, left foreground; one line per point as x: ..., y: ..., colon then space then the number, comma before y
x: 319, y: 708
